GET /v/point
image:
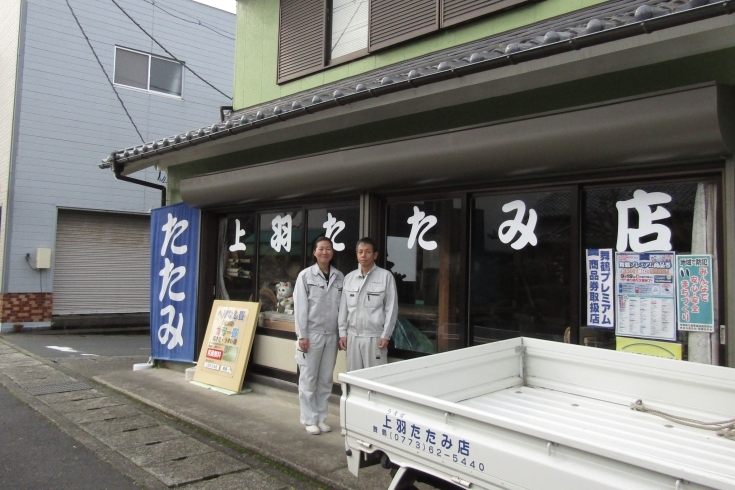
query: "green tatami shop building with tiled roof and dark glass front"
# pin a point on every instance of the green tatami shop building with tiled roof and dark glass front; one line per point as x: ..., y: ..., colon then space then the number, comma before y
x: 500, y: 153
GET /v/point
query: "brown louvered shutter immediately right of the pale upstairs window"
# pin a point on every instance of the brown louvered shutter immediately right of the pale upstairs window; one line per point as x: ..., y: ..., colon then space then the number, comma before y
x: 393, y: 21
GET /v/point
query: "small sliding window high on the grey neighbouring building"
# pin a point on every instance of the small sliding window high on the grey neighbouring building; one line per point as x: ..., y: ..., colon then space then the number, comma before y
x: 147, y: 72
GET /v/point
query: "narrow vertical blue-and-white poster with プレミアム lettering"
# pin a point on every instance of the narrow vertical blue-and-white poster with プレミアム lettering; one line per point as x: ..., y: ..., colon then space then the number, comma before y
x: 600, y: 288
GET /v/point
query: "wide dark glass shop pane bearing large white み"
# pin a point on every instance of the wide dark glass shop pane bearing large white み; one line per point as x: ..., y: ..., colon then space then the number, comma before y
x: 520, y: 266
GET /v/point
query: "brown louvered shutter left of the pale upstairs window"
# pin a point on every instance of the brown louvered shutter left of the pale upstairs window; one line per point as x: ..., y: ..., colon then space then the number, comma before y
x: 301, y: 38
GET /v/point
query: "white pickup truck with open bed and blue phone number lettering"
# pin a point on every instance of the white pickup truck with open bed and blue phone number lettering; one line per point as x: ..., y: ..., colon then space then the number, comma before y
x: 533, y: 414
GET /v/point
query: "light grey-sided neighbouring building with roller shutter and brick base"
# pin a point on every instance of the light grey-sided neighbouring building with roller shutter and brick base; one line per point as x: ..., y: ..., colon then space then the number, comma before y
x: 58, y: 112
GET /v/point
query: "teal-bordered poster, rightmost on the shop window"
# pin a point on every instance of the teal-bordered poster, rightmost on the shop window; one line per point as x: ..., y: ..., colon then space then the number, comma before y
x: 694, y: 293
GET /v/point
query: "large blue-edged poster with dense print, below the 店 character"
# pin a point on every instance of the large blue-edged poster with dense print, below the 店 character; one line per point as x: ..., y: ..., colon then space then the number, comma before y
x: 646, y: 295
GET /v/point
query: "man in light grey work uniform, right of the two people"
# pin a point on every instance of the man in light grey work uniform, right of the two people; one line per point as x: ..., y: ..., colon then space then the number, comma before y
x: 367, y: 311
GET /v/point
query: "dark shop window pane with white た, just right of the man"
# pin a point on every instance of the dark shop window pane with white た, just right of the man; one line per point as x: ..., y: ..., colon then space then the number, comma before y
x: 423, y: 251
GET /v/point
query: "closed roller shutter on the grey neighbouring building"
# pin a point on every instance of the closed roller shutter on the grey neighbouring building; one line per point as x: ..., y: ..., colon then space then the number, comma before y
x: 102, y: 263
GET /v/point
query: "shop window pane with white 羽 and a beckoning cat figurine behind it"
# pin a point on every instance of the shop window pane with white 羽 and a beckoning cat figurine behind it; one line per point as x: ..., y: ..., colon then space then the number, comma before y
x: 280, y: 259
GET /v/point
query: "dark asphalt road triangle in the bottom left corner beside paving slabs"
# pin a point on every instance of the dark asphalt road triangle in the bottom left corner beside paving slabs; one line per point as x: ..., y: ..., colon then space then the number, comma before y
x: 35, y: 454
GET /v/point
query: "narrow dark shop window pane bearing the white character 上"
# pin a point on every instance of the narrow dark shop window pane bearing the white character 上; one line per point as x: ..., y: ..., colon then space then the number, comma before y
x: 235, y: 265
